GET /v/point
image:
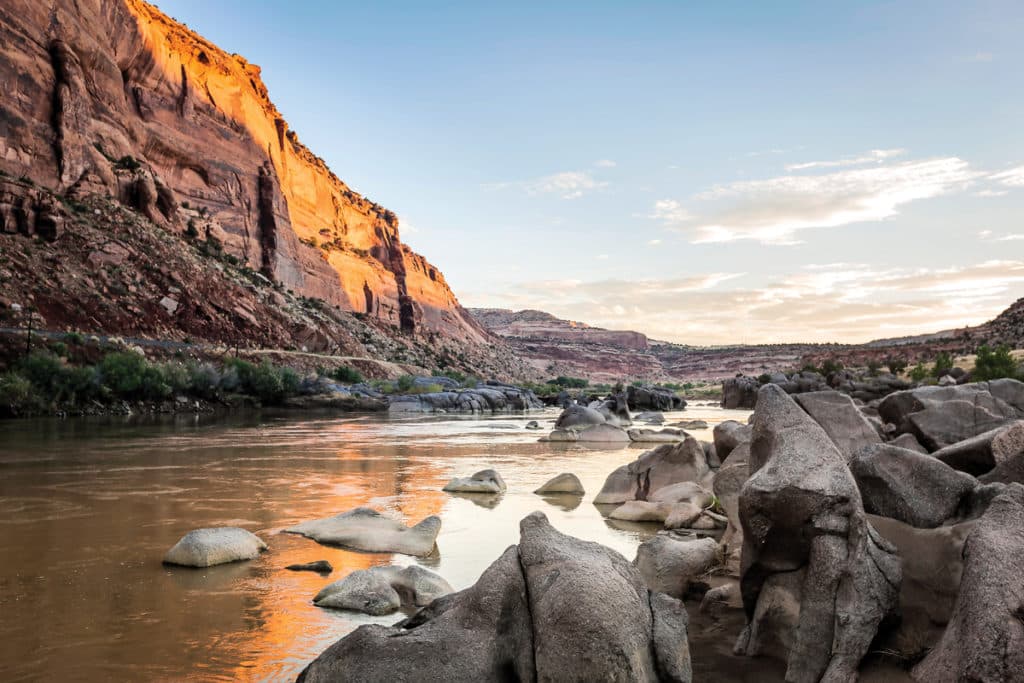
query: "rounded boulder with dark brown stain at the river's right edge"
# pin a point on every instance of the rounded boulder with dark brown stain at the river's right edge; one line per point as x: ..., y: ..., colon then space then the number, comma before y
x: 668, y: 464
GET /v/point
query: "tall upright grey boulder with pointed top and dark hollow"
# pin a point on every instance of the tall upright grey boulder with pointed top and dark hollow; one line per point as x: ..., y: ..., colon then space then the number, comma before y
x: 807, y: 542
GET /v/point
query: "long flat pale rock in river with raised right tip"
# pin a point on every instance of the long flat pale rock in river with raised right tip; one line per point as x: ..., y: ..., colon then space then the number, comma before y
x: 369, y: 531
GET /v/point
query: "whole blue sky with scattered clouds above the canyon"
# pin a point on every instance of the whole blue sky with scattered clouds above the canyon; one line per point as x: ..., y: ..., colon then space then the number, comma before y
x: 706, y: 174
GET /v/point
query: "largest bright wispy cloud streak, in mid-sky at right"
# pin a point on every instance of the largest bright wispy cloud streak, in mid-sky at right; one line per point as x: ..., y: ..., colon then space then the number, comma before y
x: 776, y: 210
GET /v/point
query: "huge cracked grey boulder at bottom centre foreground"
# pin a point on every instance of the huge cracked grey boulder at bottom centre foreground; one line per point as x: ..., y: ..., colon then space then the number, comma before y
x: 552, y: 609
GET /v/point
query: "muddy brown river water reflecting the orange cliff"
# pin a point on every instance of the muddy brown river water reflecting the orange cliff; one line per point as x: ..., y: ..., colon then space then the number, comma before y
x: 89, y: 507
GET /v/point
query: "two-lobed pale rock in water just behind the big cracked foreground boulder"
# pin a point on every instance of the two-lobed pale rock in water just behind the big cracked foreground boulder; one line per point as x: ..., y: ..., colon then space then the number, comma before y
x: 383, y: 590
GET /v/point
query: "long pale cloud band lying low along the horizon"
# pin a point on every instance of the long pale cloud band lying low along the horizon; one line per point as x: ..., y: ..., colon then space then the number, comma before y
x: 835, y: 303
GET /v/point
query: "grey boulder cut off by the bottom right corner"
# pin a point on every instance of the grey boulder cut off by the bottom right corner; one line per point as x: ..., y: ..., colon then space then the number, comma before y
x: 985, y: 641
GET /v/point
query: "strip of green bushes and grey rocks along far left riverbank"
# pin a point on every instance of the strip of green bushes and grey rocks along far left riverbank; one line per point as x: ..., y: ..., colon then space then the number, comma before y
x: 78, y: 375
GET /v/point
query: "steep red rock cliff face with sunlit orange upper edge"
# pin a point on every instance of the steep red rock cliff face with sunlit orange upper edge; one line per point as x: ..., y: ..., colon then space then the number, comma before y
x: 93, y: 87
